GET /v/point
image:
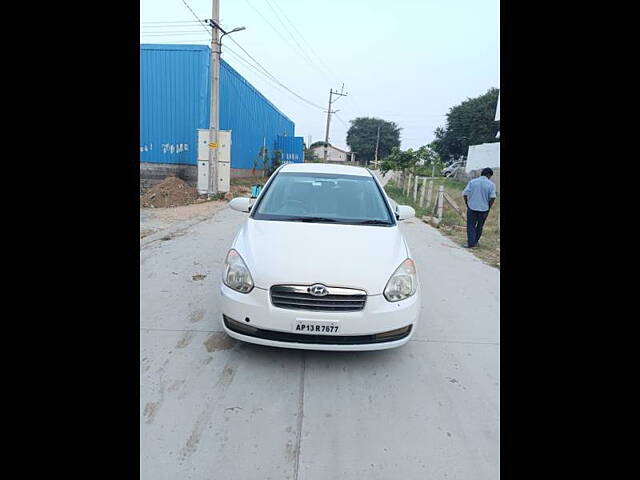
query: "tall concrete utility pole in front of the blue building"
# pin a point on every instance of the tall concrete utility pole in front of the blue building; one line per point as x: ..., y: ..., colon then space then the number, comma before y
x: 214, y: 114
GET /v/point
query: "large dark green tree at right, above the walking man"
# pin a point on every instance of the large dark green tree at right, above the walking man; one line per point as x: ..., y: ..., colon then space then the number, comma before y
x: 470, y: 123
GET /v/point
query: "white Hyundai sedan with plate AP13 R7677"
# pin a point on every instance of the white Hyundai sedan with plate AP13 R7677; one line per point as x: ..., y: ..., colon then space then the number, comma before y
x: 320, y: 264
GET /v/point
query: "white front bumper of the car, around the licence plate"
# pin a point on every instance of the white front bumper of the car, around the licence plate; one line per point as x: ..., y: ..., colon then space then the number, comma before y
x: 360, y: 330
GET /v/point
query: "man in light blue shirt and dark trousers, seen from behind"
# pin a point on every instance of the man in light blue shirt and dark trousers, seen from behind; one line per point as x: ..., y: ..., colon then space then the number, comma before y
x: 479, y: 195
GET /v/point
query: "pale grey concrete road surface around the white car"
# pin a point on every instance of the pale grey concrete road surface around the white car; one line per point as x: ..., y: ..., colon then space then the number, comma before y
x: 214, y: 408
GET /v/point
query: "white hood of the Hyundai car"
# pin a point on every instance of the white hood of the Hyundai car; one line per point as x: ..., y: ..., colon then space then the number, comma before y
x: 351, y: 256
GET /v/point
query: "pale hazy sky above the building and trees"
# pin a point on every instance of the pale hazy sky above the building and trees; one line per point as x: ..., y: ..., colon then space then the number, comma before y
x: 407, y: 61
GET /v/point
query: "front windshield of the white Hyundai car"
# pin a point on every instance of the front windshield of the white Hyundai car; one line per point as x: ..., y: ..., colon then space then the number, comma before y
x: 323, y: 198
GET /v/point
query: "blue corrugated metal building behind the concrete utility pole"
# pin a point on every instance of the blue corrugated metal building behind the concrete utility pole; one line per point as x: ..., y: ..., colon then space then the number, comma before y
x: 174, y: 102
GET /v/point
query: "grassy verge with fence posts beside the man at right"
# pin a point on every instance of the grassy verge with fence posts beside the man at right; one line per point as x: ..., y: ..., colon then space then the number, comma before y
x: 489, y: 247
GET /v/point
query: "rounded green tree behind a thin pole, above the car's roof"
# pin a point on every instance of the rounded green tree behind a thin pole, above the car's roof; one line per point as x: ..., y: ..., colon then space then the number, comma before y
x: 362, y: 134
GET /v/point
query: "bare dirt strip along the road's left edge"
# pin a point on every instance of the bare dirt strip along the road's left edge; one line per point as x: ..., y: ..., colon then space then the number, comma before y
x: 153, y: 220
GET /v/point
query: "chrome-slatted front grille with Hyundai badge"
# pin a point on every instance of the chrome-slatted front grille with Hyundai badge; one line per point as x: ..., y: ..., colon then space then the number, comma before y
x: 297, y: 297
